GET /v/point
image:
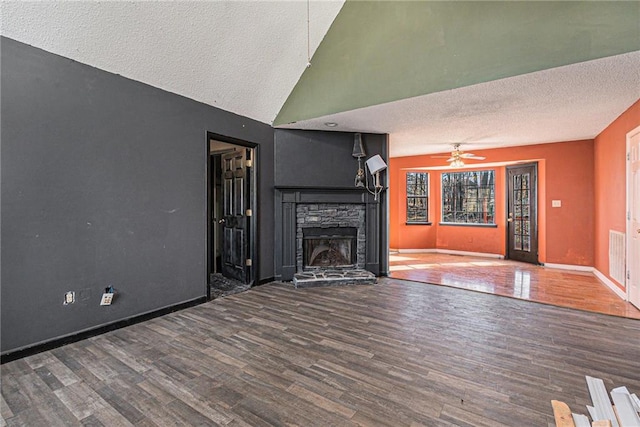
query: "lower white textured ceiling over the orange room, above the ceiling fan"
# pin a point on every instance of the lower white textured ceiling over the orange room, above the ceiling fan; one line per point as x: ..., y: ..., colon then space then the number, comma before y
x: 561, y: 104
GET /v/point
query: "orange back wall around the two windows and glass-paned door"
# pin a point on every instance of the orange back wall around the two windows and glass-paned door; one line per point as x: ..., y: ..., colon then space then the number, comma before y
x: 565, y: 235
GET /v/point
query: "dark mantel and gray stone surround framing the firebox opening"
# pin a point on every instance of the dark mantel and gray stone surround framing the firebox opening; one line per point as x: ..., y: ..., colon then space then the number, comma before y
x: 297, y: 208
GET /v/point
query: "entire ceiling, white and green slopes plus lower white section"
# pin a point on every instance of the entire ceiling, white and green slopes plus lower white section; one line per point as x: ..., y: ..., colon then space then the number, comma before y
x: 487, y: 74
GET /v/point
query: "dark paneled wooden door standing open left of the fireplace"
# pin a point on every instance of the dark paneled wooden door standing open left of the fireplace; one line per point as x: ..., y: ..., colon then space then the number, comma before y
x: 235, y: 227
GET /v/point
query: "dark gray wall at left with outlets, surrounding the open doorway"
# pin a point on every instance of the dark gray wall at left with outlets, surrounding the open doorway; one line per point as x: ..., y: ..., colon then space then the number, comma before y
x: 104, y: 183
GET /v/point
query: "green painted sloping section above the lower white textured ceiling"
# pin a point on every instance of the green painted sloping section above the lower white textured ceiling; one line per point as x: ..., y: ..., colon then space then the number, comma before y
x: 382, y: 51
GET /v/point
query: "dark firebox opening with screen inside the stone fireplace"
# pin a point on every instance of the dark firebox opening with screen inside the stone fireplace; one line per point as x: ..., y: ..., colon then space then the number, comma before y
x: 329, y: 247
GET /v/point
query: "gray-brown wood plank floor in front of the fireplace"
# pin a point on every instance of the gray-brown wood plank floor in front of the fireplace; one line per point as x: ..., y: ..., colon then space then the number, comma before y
x: 395, y: 354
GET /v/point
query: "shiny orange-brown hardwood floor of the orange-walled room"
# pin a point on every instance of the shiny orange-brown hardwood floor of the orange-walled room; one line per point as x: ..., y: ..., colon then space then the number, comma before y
x: 564, y: 288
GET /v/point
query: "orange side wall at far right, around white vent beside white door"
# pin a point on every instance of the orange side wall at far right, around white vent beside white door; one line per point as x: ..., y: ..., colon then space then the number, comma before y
x: 610, y: 183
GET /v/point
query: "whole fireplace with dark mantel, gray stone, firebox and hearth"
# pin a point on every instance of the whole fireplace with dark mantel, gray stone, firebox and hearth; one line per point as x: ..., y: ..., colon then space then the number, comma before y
x: 300, y: 209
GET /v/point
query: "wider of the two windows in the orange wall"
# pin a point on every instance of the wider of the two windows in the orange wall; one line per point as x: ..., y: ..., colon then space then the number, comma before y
x: 490, y: 211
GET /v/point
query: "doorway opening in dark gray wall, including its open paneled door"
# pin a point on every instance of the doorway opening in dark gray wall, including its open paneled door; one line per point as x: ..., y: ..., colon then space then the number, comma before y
x: 231, y: 215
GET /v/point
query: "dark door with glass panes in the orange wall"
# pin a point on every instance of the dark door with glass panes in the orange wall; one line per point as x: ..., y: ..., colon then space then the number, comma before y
x: 522, y: 215
